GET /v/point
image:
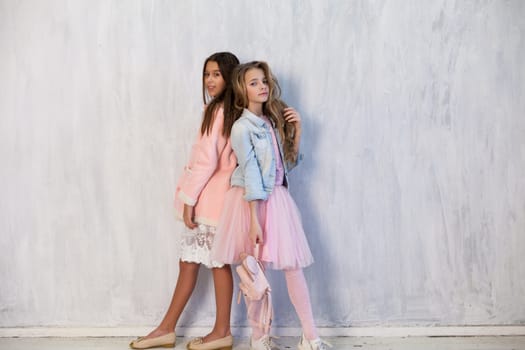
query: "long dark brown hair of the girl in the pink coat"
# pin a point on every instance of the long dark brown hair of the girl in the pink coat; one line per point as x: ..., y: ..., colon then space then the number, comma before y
x: 227, y: 62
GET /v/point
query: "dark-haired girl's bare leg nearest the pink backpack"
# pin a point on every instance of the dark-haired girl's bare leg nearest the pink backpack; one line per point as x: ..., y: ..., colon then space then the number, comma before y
x: 223, y: 283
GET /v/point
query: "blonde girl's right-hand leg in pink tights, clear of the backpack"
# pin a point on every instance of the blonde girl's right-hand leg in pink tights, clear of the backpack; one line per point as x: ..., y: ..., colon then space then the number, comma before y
x: 298, y: 291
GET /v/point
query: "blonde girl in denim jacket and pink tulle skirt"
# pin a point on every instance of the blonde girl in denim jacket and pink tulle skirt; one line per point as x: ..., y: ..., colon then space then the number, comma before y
x: 258, y: 208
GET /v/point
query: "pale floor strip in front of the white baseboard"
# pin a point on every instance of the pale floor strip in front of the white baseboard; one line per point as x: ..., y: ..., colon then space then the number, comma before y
x: 355, y: 343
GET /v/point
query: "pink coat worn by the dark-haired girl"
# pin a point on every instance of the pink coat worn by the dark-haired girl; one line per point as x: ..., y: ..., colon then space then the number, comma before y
x: 206, y: 177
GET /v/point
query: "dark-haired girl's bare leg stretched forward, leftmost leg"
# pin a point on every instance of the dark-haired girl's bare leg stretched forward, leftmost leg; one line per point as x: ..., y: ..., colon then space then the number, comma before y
x: 186, y: 281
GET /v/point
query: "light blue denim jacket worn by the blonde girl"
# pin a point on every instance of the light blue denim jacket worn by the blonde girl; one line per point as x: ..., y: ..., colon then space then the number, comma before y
x: 252, y: 143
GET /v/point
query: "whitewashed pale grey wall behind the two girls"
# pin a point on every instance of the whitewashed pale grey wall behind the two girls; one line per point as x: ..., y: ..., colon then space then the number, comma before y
x: 412, y: 190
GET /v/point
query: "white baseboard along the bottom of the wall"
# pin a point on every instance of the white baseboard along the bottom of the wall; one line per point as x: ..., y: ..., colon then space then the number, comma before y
x: 431, y: 331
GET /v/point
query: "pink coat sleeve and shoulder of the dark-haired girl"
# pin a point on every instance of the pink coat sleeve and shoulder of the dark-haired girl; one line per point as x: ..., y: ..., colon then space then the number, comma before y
x: 202, y: 163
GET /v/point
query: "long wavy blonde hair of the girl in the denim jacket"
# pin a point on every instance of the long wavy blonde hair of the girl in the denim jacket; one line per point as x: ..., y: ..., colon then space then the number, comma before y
x: 273, y: 108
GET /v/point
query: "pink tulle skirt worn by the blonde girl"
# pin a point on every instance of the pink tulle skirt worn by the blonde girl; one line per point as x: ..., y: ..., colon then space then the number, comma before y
x: 285, y: 245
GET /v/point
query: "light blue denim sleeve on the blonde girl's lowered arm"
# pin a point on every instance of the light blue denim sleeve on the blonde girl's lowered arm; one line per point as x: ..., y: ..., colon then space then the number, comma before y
x: 244, y: 150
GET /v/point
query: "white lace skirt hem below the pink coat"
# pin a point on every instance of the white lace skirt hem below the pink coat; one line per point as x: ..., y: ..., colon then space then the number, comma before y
x: 196, y: 246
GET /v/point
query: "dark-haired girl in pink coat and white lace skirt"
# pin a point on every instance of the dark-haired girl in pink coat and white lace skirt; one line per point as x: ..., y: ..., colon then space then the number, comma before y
x: 198, y: 202
